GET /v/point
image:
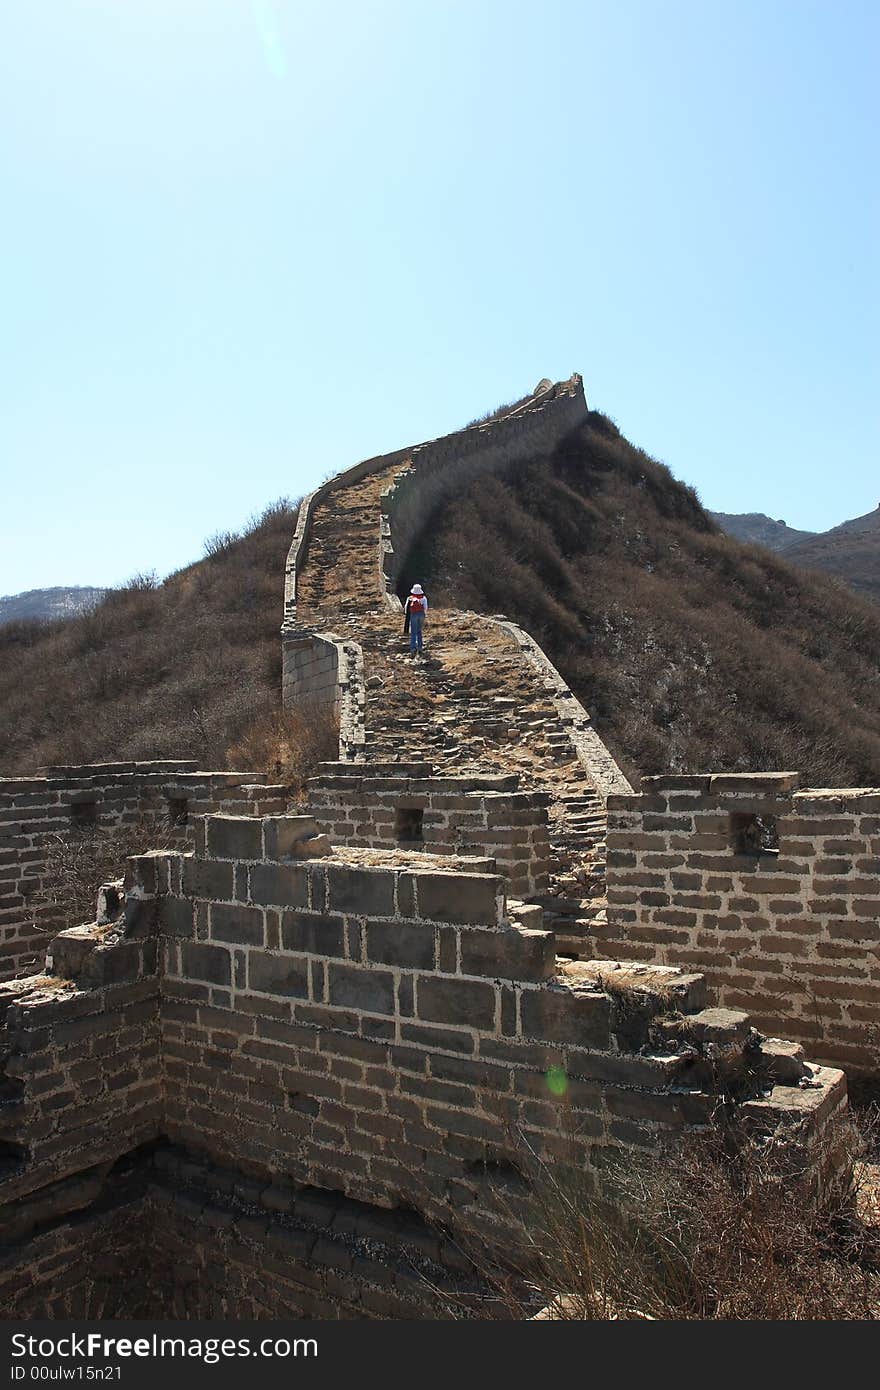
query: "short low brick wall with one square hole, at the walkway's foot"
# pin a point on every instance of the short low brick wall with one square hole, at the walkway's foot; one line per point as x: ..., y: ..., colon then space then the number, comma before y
x: 387, y: 807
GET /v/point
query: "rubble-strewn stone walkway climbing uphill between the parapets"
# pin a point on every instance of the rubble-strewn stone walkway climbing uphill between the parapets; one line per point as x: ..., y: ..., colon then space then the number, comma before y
x: 475, y: 704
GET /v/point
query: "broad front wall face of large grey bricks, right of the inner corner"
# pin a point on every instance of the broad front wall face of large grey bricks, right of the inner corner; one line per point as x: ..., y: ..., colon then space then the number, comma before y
x: 384, y: 1031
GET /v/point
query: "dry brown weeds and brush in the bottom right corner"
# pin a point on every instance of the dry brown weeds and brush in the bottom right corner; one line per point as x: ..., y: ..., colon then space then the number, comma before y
x: 724, y: 1227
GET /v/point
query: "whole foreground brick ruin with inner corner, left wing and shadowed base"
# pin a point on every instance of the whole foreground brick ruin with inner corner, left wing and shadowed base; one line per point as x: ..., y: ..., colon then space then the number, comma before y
x: 380, y: 1029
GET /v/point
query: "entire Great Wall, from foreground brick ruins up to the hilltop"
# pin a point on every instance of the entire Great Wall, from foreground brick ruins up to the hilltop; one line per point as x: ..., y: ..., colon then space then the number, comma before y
x: 300, y: 1052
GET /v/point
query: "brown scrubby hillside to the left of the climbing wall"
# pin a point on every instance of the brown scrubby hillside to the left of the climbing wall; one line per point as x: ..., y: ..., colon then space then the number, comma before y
x: 181, y: 669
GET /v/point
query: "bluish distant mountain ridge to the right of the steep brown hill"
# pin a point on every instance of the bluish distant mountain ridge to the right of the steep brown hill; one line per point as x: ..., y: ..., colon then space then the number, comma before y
x: 850, y: 551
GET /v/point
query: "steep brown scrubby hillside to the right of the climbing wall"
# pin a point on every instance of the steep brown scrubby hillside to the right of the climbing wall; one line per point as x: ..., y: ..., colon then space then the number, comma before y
x: 693, y: 651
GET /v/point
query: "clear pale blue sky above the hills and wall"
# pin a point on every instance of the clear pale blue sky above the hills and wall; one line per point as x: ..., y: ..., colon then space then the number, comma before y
x: 248, y: 243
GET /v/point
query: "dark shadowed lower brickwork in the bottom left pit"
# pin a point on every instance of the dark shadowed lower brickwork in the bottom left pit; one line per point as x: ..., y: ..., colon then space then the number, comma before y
x: 162, y: 1236
